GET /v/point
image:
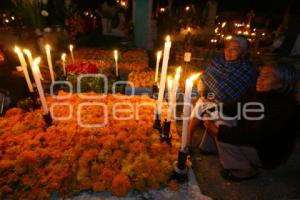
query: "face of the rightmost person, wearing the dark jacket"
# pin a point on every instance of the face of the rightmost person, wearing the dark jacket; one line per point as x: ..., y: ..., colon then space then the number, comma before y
x: 268, y: 80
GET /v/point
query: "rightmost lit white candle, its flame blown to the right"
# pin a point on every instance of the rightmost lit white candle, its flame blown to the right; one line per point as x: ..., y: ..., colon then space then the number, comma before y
x: 187, y: 108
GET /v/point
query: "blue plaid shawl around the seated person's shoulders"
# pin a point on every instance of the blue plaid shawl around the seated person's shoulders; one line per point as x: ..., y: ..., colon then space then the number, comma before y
x: 229, y: 81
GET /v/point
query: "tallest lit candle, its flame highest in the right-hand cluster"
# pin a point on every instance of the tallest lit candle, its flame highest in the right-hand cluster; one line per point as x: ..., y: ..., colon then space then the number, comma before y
x: 163, y: 73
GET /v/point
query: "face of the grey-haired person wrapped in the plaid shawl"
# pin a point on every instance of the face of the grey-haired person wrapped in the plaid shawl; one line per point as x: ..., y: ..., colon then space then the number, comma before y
x: 232, y: 50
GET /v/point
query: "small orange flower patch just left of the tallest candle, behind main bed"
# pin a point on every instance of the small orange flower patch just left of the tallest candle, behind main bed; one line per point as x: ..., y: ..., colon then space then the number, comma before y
x: 142, y: 79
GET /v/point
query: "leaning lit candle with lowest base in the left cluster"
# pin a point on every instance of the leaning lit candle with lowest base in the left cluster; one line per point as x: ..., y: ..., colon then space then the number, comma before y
x: 35, y: 70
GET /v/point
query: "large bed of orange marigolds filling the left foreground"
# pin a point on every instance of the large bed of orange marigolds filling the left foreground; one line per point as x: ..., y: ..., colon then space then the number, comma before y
x: 67, y: 158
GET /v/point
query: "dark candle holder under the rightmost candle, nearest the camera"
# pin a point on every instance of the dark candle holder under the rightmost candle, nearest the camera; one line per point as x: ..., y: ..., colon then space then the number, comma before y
x: 180, y: 172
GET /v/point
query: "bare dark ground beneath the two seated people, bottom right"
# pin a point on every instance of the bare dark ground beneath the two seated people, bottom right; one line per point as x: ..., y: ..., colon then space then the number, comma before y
x: 280, y: 184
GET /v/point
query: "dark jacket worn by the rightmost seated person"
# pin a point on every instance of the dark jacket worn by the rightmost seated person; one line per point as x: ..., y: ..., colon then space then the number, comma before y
x: 274, y: 136
